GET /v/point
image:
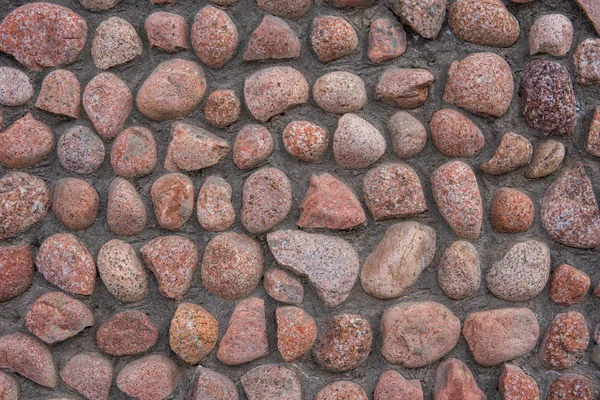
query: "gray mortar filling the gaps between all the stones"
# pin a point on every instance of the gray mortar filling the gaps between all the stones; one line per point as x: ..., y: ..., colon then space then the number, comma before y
x: 433, y: 55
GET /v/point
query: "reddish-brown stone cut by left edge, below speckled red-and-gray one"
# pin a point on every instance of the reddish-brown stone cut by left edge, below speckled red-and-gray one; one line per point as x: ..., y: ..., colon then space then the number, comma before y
x: 16, y: 271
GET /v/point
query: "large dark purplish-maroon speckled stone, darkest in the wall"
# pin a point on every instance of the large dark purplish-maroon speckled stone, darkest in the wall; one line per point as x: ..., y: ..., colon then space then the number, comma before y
x: 548, y: 99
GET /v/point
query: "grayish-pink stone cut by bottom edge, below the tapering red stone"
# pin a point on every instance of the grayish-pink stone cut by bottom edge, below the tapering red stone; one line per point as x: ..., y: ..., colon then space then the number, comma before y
x: 272, y: 381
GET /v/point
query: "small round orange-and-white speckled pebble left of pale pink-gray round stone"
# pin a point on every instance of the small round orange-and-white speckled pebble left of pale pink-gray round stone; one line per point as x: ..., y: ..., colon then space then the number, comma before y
x: 305, y: 140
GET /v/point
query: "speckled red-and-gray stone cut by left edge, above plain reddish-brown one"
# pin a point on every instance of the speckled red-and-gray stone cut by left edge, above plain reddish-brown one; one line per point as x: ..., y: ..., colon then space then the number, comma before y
x: 25, y: 201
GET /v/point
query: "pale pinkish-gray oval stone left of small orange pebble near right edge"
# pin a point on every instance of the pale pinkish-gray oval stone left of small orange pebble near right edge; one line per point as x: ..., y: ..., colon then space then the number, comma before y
x: 522, y: 273
